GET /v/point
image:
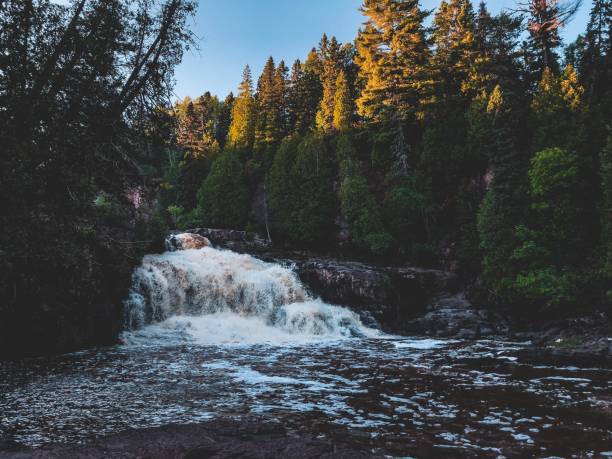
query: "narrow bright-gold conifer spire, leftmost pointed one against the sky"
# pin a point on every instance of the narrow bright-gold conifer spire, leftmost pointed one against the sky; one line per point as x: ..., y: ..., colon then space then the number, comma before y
x: 242, y: 128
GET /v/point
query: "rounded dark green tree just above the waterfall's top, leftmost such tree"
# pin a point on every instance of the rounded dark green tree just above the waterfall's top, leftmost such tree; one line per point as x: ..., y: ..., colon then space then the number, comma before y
x: 223, y: 199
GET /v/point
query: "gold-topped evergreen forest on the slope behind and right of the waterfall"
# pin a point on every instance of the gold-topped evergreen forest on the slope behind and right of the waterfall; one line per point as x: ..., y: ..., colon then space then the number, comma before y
x: 474, y: 141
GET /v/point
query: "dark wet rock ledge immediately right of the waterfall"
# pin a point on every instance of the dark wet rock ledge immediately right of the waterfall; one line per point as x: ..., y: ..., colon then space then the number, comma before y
x: 401, y: 299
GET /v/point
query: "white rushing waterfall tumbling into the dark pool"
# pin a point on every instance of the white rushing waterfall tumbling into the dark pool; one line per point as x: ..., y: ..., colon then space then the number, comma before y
x: 213, y: 296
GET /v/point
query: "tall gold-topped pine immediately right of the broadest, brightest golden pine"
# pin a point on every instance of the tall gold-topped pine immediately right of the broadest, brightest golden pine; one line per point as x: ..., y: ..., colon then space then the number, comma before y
x: 457, y: 75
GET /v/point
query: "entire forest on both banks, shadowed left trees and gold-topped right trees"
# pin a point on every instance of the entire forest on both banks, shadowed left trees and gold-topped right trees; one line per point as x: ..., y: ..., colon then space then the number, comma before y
x: 452, y: 138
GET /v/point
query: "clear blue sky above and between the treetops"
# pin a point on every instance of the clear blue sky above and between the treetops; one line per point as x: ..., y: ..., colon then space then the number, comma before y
x: 232, y: 33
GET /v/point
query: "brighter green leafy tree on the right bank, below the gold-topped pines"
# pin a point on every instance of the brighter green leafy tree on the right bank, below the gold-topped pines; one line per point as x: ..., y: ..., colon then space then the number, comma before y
x: 549, y: 275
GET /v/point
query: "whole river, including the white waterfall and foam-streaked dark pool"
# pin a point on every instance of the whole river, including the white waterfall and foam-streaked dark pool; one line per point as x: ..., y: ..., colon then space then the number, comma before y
x: 210, y: 334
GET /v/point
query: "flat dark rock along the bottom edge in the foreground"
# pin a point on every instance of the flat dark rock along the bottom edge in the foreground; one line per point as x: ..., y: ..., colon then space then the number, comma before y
x: 216, y: 439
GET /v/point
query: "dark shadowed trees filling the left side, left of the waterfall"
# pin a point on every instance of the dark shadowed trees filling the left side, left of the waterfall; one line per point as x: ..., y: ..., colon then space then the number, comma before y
x: 83, y: 133
